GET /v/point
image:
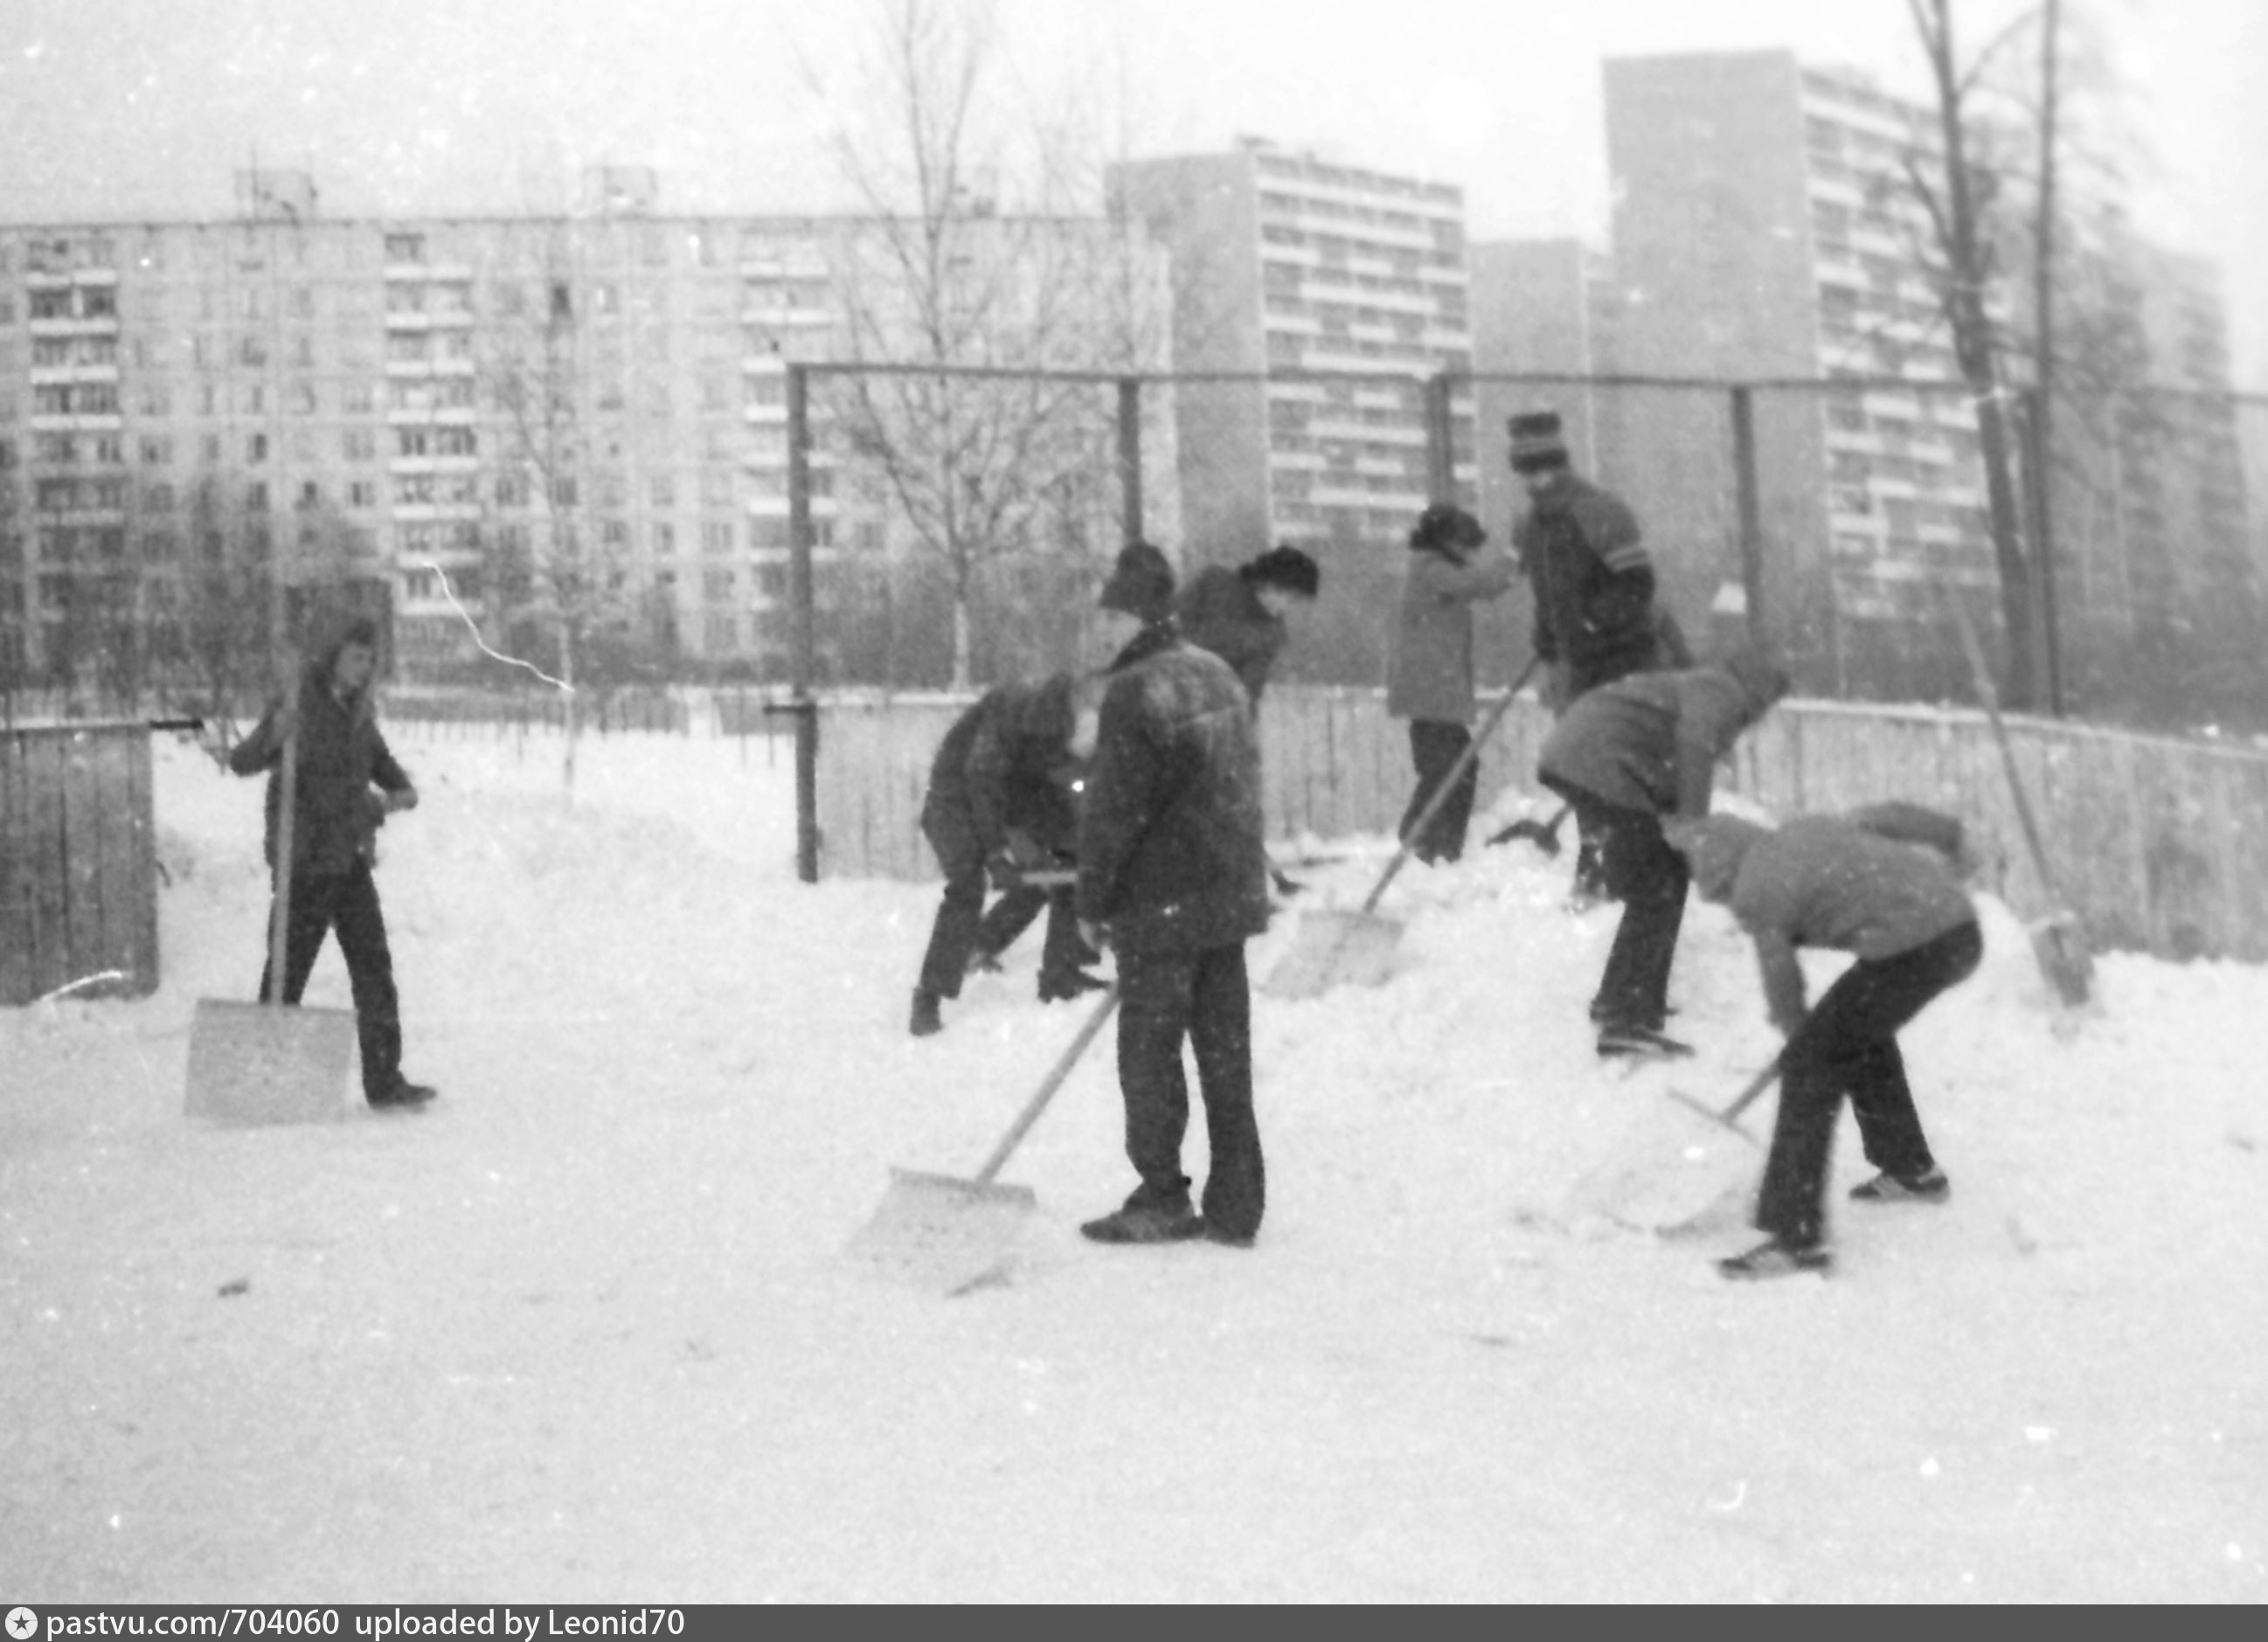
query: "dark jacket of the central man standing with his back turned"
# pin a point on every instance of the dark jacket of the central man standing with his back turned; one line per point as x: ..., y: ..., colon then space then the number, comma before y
x: 1171, y: 836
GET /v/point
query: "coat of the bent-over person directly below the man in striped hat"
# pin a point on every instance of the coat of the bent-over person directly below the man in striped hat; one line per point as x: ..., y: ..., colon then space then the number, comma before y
x: 1652, y: 740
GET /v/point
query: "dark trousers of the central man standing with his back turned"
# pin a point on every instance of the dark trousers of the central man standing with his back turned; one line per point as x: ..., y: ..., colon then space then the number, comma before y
x: 1205, y: 999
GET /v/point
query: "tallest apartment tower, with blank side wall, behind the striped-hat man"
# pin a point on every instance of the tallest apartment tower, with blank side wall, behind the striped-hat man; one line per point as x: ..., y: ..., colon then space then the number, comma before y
x: 1766, y: 232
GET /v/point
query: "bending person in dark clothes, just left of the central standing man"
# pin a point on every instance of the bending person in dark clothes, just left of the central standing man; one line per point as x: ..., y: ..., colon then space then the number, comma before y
x: 999, y: 806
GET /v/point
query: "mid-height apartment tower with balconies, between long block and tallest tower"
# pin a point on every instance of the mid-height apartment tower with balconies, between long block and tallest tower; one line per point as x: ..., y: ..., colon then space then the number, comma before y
x: 1335, y: 291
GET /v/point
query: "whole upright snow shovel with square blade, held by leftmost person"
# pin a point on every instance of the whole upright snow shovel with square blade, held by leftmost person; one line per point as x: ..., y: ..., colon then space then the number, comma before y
x: 271, y: 1063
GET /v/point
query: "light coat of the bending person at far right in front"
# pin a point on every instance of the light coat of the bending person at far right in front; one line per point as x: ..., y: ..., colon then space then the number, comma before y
x: 1834, y: 883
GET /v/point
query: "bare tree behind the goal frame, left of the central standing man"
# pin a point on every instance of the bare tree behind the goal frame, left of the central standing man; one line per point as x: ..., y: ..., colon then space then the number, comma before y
x: 976, y: 251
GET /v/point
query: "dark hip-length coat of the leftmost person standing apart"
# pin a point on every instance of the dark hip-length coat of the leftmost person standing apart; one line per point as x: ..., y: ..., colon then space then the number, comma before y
x: 341, y: 759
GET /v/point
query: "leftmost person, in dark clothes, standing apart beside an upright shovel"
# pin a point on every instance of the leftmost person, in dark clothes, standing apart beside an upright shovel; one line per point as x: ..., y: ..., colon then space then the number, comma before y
x: 346, y: 786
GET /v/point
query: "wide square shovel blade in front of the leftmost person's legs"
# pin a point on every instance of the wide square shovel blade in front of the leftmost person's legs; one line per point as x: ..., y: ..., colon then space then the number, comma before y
x: 253, y: 1063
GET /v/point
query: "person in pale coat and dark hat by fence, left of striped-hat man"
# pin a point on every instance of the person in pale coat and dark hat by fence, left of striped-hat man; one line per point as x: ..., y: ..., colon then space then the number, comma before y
x: 1430, y: 672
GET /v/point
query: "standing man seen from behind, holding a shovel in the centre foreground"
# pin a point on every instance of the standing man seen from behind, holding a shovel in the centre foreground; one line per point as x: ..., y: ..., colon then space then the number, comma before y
x: 1176, y: 881
